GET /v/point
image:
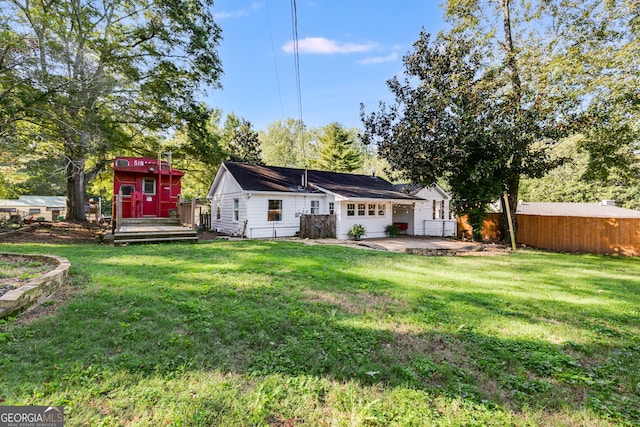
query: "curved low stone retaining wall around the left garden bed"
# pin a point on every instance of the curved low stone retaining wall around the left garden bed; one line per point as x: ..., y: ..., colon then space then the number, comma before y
x: 35, y: 290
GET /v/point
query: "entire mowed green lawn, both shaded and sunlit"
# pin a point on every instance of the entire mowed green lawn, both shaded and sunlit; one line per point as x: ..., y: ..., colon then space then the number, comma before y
x: 281, y: 333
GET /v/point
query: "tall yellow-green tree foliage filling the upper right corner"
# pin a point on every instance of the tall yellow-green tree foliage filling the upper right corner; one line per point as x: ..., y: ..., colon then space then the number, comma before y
x: 579, y: 51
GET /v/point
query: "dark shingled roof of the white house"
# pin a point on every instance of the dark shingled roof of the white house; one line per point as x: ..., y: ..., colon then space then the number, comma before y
x: 289, y: 180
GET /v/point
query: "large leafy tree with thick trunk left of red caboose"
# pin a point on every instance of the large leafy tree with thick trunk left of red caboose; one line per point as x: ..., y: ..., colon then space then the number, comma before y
x: 109, y: 71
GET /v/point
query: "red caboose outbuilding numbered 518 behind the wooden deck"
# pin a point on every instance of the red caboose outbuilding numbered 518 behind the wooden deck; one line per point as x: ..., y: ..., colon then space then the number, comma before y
x: 146, y: 187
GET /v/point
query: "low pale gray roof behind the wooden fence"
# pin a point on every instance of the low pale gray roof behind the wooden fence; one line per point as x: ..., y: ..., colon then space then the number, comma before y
x: 593, y: 210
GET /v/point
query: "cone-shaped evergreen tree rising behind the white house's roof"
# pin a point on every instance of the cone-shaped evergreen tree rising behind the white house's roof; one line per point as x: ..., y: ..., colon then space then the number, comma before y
x: 337, y: 150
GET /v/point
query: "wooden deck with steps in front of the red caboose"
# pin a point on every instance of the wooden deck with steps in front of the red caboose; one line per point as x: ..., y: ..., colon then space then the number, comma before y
x: 152, y: 230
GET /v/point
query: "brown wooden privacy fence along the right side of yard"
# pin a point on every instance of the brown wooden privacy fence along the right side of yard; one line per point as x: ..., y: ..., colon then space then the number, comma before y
x: 612, y: 236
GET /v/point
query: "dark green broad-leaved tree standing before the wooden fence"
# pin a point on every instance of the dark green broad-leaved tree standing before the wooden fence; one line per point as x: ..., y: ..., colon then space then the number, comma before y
x: 455, y: 117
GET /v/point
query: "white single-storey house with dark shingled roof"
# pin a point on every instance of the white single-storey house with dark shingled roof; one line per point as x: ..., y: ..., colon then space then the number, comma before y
x: 263, y: 201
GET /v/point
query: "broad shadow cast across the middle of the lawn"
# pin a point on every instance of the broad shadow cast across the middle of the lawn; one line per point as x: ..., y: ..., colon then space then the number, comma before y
x: 260, y: 308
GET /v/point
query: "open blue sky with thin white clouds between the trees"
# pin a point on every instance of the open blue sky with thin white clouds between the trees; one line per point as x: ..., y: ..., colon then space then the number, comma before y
x: 348, y: 50
